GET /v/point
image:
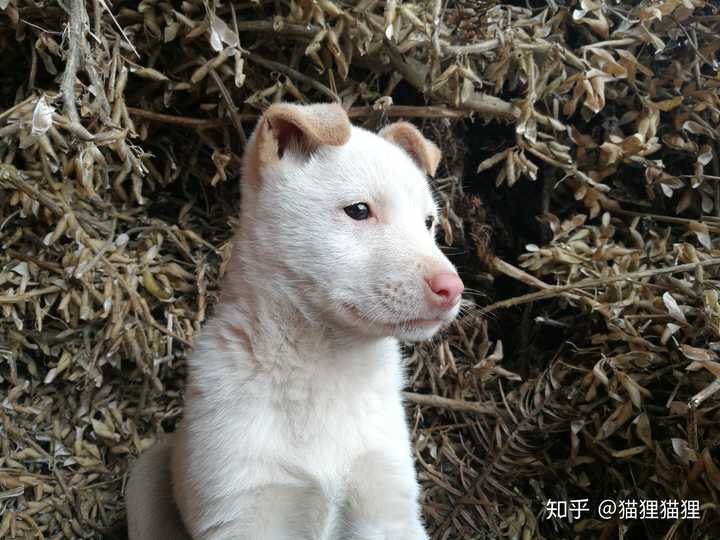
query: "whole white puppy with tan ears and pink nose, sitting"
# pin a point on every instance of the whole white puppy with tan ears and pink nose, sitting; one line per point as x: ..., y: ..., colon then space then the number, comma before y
x: 294, y: 427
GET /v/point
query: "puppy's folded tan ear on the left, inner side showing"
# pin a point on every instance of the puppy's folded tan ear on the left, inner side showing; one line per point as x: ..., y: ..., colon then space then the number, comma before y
x: 305, y: 126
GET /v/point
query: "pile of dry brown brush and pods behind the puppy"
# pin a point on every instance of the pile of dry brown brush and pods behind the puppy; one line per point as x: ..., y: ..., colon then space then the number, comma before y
x: 581, y: 200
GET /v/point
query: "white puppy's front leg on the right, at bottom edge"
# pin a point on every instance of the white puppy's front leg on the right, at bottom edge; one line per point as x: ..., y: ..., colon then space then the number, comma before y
x: 382, y: 500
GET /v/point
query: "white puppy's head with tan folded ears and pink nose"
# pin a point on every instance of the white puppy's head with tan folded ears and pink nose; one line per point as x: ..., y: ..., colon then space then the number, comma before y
x: 344, y: 222
